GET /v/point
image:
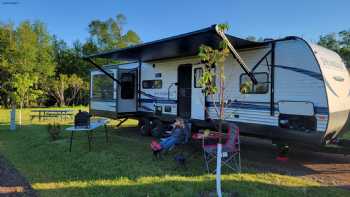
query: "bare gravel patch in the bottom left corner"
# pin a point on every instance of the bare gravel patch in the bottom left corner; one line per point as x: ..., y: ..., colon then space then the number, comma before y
x: 13, y: 184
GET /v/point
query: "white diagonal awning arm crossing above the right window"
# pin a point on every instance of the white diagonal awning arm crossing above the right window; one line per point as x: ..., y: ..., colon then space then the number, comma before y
x: 235, y: 54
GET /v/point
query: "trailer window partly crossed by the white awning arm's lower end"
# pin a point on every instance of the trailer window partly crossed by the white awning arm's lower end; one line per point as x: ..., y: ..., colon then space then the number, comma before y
x: 247, y: 86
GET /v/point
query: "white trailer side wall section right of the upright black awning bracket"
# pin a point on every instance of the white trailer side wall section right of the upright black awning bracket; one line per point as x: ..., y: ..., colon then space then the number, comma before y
x: 299, y: 78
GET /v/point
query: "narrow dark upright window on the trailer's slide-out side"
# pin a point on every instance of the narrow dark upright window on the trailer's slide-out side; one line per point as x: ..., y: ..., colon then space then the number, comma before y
x: 127, y: 85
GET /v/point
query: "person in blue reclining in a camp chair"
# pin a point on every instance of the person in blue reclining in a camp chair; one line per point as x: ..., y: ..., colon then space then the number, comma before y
x: 177, y: 136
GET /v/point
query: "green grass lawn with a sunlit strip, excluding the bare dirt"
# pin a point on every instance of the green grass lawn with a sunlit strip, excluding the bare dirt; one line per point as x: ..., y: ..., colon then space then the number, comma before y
x: 125, y: 167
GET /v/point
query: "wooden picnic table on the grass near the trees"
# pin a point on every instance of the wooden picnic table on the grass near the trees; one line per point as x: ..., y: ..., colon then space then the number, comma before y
x: 51, y: 113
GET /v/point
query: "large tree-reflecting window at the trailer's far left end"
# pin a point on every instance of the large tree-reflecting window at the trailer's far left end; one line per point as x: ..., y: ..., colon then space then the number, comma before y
x: 102, y: 87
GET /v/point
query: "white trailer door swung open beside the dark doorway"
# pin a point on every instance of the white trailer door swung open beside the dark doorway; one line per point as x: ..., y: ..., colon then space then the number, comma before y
x: 198, y: 97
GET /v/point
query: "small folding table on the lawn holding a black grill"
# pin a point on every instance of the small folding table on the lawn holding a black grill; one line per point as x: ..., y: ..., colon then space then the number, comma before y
x: 89, y: 130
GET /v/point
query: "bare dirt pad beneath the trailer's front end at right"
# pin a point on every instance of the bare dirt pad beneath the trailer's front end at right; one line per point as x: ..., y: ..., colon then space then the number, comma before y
x: 325, y: 168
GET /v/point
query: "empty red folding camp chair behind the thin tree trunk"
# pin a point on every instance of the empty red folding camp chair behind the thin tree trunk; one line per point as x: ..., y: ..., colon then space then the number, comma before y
x: 230, y: 149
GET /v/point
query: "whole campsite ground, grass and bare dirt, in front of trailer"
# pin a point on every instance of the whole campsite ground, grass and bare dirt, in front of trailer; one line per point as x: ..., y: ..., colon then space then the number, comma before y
x: 125, y: 166
